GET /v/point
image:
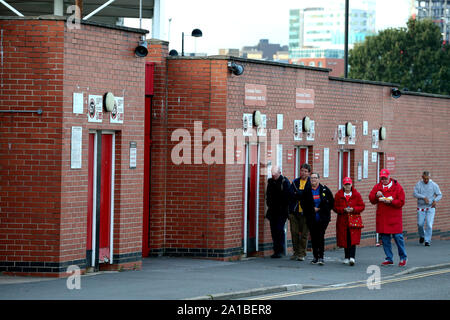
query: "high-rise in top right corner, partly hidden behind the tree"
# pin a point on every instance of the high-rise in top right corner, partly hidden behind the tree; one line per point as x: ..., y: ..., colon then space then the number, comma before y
x: 436, y: 10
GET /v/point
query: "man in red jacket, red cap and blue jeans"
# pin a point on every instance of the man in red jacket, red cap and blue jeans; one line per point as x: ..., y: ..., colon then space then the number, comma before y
x: 389, y: 197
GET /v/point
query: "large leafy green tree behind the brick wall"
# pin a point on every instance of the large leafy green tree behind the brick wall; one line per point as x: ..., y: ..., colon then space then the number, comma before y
x: 414, y: 57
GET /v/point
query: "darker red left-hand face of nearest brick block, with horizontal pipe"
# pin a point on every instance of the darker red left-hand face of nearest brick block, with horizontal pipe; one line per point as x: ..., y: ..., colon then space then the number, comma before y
x: 30, y: 144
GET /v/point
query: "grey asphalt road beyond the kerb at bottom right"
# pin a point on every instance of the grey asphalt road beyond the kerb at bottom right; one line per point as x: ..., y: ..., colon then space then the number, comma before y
x: 431, y: 285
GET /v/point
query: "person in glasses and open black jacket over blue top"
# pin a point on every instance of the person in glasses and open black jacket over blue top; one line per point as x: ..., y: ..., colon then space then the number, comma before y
x: 318, y: 218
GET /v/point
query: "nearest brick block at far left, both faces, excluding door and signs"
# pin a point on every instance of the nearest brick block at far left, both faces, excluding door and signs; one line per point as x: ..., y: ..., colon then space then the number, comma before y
x: 43, y: 201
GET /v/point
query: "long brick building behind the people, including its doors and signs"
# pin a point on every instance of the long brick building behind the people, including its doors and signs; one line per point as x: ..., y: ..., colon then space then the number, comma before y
x: 217, y: 210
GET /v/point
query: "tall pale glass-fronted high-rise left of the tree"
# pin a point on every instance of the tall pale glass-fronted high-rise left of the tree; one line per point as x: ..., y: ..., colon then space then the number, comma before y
x: 317, y: 32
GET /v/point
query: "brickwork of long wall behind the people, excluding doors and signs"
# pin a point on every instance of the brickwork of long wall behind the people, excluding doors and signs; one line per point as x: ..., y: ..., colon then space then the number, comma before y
x: 416, y: 133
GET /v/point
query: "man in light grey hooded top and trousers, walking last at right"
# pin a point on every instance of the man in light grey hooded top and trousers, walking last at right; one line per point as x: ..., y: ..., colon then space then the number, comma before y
x: 428, y: 195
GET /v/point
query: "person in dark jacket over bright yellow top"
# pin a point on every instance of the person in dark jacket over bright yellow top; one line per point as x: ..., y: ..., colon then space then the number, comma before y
x: 297, y: 219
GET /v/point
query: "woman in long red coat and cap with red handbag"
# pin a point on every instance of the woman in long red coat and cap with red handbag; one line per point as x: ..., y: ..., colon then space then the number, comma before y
x: 348, y: 201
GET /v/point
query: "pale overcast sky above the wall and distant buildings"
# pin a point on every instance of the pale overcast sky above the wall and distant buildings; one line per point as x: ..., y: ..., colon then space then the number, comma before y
x: 238, y: 23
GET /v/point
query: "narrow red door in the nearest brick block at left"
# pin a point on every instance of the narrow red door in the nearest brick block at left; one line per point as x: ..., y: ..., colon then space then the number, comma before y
x: 105, y: 198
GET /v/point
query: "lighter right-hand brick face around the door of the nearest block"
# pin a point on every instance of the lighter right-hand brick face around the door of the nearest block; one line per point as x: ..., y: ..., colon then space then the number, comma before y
x: 98, y: 60
